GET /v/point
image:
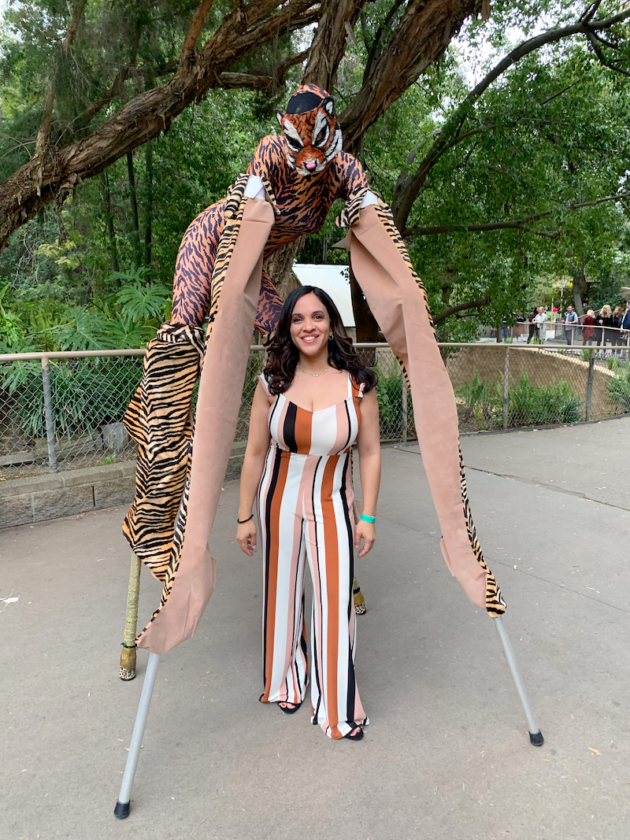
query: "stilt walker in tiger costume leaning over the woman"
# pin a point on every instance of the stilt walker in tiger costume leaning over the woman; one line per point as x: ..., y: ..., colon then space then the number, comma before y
x: 288, y: 190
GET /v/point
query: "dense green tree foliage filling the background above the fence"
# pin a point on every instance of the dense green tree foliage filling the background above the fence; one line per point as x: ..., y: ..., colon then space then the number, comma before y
x: 550, y: 133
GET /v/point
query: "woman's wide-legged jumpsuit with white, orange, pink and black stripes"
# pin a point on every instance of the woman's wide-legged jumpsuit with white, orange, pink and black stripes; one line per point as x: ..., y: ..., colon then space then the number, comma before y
x: 305, y: 510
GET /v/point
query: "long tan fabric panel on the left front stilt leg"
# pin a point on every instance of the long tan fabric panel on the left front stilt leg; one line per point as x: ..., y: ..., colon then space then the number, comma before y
x: 218, y: 405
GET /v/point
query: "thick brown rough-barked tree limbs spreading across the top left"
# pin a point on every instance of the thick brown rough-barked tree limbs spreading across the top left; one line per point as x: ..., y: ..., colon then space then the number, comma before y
x: 420, y: 37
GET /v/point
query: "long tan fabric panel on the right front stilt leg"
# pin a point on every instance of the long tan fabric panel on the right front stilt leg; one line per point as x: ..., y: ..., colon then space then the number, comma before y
x: 399, y: 304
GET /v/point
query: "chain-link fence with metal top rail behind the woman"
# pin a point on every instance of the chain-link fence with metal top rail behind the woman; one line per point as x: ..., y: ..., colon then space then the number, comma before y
x: 62, y: 411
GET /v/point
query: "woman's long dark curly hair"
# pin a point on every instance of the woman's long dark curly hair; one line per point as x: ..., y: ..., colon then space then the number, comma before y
x: 284, y: 355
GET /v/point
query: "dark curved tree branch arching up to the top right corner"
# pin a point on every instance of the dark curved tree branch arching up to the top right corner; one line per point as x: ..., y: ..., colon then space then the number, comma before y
x: 408, y: 188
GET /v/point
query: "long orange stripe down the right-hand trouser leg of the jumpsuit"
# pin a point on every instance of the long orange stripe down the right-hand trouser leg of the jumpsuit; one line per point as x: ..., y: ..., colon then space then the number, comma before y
x: 331, y: 545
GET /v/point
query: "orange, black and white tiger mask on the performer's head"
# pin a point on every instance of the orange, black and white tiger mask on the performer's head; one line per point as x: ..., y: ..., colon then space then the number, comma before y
x: 311, y: 132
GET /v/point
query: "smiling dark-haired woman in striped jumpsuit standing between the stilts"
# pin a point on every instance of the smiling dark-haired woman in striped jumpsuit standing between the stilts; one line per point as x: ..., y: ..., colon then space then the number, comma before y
x: 313, y: 401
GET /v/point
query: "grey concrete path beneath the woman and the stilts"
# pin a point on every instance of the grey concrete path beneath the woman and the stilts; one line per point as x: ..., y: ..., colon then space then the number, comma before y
x: 447, y: 756
